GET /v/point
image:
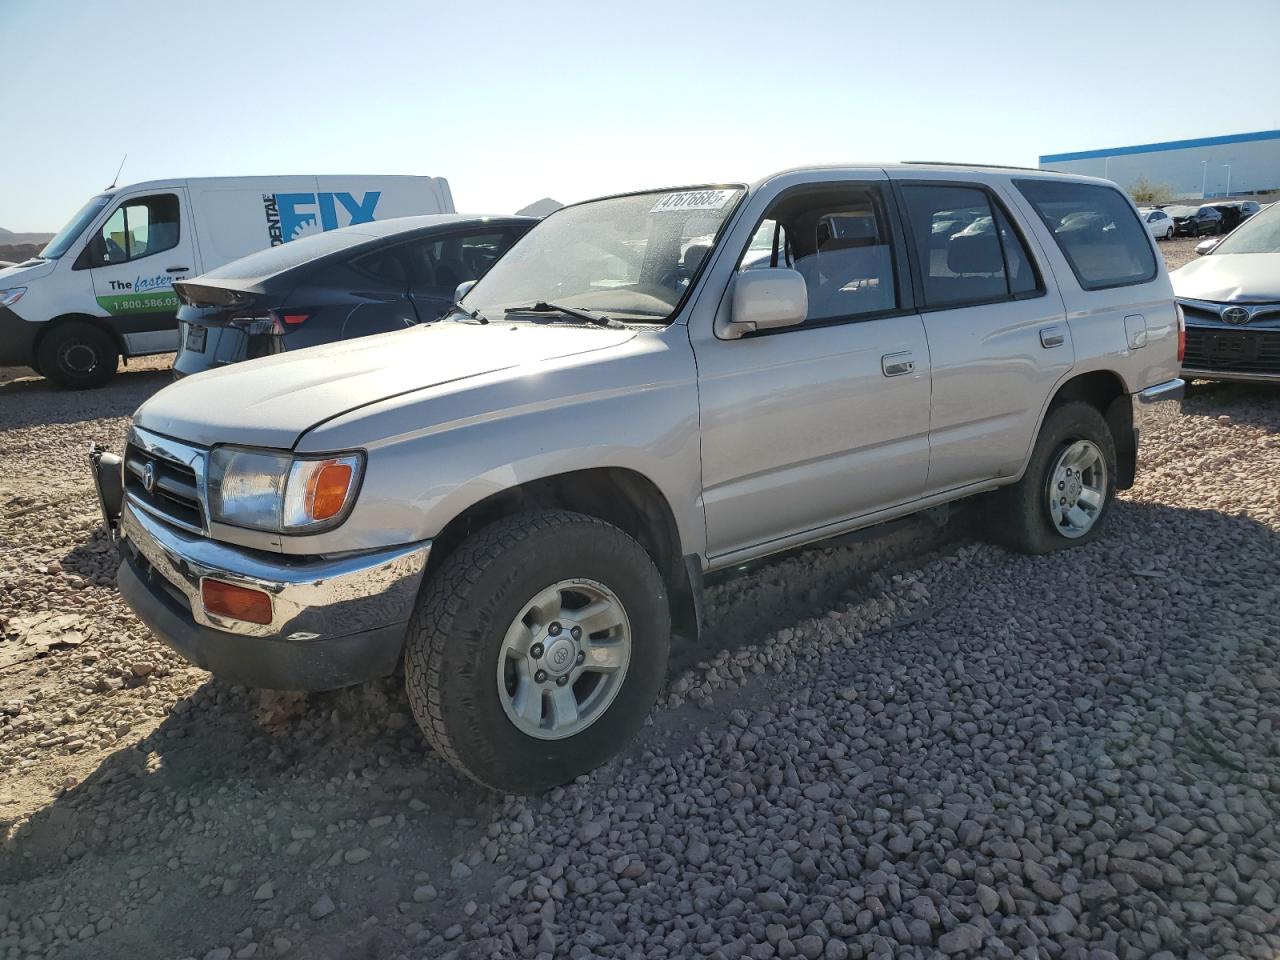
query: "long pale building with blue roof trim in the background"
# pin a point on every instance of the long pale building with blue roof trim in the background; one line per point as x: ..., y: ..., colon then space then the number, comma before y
x: 1210, y: 167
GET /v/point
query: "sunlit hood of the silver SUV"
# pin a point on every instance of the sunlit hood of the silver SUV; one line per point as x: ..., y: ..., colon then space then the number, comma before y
x: 273, y: 401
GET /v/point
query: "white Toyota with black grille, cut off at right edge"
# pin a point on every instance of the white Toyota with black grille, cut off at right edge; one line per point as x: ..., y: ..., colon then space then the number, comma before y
x: 1232, y: 304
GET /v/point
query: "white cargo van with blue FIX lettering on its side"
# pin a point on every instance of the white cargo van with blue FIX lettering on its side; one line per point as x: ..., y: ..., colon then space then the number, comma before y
x: 103, y: 289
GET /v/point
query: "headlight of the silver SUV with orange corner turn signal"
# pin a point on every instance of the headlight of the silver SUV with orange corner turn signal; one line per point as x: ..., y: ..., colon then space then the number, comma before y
x: 280, y: 492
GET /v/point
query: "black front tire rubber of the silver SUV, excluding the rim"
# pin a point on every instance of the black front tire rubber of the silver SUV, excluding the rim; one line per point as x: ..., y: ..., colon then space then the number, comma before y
x: 461, y: 619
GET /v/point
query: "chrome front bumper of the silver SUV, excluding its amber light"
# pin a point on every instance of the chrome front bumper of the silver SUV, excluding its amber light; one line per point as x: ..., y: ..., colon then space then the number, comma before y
x: 336, y: 621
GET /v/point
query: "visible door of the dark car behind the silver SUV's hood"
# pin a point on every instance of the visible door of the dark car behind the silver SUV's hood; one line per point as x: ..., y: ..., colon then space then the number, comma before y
x: 440, y: 263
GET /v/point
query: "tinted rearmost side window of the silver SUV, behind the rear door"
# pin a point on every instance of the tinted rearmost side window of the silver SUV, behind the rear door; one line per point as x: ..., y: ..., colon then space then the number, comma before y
x: 1098, y: 232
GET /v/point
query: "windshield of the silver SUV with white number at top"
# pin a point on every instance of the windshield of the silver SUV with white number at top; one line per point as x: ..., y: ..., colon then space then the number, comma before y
x: 632, y: 258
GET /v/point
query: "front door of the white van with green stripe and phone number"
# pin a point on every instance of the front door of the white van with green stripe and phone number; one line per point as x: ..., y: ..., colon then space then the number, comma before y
x: 135, y: 257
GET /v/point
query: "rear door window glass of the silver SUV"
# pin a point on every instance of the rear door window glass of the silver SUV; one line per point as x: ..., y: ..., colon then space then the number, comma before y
x: 968, y: 250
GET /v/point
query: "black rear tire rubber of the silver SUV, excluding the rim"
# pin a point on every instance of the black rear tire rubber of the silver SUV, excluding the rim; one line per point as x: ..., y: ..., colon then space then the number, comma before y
x: 1018, y: 515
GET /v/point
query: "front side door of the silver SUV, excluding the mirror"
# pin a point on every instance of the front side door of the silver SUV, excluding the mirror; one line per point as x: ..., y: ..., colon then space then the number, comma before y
x: 811, y: 426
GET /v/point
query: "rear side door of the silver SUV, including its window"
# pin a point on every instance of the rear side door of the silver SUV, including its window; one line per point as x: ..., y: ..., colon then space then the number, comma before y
x: 998, y: 331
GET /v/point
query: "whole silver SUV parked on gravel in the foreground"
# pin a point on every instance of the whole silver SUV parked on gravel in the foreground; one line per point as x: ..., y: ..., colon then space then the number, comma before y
x: 520, y: 502
